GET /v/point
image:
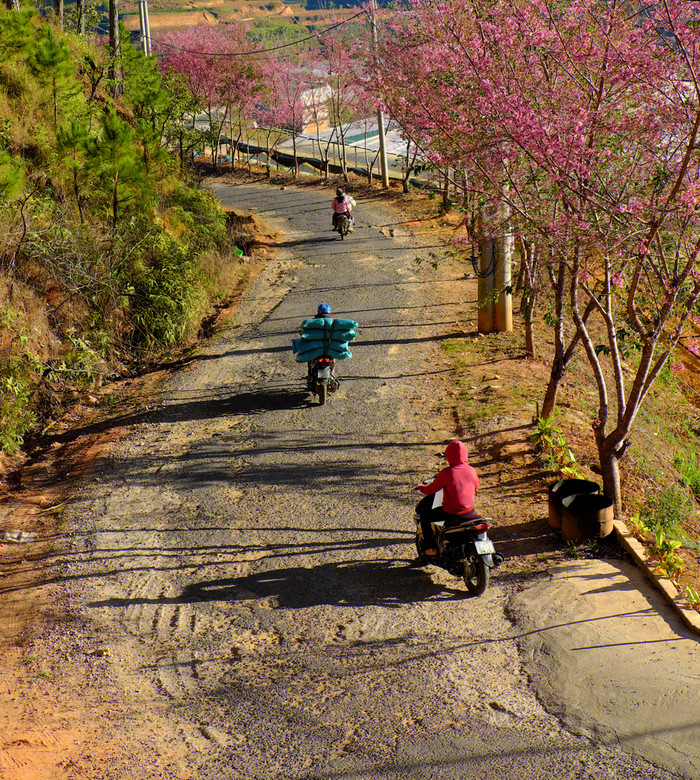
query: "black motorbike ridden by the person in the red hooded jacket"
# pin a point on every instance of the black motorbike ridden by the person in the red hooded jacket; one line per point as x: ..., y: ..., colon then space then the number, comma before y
x: 464, y: 548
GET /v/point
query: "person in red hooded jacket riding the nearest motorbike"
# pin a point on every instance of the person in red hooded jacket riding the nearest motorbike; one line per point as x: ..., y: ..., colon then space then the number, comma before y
x: 459, y: 483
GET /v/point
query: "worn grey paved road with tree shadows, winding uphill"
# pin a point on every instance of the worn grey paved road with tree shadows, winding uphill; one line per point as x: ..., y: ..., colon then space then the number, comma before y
x: 245, y: 555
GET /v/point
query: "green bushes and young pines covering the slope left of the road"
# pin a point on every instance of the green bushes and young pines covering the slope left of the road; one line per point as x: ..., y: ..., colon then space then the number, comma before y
x: 91, y: 212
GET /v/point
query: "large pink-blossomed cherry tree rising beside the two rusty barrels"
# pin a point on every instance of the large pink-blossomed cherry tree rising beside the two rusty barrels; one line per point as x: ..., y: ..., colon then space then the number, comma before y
x: 582, y: 118
